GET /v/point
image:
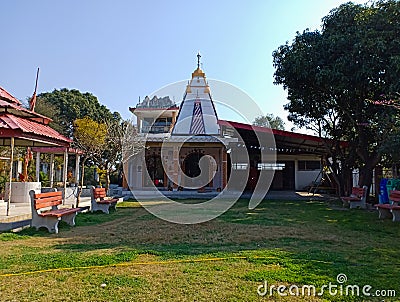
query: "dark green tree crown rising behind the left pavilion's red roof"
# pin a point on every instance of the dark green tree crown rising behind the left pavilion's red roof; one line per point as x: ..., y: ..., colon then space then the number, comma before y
x: 64, y: 106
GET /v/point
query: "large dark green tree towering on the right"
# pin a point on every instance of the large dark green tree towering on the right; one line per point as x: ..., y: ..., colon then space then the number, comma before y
x: 333, y: 77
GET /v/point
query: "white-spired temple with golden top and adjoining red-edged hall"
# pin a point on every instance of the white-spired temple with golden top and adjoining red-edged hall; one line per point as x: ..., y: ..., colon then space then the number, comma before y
x: 188, y: 147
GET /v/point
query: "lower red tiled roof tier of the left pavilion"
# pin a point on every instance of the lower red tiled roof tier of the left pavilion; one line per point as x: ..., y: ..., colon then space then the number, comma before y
x: 27, y: 126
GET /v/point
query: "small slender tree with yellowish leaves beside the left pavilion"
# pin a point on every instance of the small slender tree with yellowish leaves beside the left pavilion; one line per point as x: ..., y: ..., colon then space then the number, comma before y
x: 90, y: 137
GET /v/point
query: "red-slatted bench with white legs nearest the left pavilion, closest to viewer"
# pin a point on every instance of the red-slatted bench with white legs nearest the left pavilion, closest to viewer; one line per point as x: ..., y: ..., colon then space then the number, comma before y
x: 45, y: 211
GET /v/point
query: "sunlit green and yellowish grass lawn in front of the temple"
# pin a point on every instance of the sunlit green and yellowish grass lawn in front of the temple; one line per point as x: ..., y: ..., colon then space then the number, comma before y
x: 131, y: 255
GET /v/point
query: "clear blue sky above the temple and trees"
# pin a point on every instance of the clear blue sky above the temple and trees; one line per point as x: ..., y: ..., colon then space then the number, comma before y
x: 120, y: 50
